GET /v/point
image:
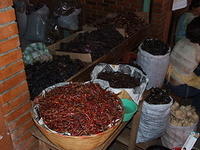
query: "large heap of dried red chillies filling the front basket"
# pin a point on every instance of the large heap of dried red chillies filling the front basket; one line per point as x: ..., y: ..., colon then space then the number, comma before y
x: 80, y: 109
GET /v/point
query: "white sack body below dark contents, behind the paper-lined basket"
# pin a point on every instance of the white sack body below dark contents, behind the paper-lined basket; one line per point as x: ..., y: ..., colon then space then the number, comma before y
x: 154, y: 66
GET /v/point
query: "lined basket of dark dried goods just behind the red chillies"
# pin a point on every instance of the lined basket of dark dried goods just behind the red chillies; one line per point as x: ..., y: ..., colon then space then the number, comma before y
x: 124, y: 80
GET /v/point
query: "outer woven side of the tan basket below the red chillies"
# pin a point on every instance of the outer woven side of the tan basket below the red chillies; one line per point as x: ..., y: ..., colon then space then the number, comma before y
x: 77, y: 142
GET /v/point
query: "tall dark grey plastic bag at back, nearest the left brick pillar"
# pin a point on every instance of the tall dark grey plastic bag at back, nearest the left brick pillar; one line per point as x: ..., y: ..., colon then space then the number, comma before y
x: 36, y: 25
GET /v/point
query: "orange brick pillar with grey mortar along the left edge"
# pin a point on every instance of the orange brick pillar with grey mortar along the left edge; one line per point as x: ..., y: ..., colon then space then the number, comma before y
x: 14, y: 95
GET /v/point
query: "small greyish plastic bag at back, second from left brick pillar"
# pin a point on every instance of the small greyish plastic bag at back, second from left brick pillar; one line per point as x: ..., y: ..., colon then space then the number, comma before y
x: 71, y: 21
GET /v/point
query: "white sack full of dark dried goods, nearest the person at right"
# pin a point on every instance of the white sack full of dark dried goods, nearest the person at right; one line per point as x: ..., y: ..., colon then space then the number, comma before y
x: 153, y: 57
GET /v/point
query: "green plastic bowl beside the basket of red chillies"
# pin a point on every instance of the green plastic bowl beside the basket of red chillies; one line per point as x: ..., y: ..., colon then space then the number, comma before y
x: 130, y: 108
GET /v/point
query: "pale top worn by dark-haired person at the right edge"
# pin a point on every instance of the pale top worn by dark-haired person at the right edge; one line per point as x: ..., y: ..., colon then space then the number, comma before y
x: 184, y: 58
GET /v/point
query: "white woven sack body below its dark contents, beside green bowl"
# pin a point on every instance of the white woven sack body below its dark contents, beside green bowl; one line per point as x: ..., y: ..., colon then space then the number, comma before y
x: 153, y: 121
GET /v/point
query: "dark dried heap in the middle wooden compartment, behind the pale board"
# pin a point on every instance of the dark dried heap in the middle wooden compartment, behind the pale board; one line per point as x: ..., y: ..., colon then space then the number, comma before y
x: 98, y: 42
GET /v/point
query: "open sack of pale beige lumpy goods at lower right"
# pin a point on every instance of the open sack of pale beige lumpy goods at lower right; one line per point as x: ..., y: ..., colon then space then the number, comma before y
x: 183, y: 121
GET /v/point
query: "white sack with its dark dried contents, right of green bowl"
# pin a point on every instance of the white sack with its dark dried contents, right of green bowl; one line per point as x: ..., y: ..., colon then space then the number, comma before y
x: 155, y: 115
